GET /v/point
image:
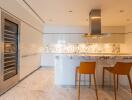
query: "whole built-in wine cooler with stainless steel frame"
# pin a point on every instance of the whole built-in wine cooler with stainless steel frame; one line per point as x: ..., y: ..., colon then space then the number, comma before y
x: 9, y: 52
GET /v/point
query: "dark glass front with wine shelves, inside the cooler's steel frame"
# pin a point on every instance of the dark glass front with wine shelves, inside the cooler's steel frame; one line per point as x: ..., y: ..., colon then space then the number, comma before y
x: 10, y: 54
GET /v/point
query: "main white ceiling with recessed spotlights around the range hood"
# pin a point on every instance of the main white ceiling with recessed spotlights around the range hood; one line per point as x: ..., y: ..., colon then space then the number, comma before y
x: 56, y: 11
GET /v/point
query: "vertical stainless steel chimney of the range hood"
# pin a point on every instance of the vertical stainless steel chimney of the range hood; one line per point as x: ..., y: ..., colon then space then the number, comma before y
x: 95, y: 22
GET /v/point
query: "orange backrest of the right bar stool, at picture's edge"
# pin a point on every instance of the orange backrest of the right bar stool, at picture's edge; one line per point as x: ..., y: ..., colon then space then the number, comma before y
x: 122, y: 68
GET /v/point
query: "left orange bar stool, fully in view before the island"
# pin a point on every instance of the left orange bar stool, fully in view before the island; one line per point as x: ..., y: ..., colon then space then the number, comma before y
x: 85, y: 68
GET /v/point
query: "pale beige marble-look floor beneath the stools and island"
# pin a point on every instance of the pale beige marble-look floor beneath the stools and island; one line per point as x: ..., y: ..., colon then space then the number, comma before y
x: 39, y: 86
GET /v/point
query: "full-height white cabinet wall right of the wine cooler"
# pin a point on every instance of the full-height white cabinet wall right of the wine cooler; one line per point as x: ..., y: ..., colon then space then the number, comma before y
x: 31, y: 43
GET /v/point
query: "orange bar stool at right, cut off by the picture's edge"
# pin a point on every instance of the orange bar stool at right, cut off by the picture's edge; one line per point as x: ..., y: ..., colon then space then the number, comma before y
x: 120, y: 68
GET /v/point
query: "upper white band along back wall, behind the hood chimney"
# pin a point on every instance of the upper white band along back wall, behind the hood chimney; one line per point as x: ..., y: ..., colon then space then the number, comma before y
x: 81, y: 29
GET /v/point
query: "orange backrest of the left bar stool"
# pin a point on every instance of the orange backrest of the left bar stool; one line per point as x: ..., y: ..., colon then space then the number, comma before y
x: 87, y: 68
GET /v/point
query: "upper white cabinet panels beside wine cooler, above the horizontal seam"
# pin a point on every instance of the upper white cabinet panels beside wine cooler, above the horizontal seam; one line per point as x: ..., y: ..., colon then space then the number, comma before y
x: 30, y: 39
